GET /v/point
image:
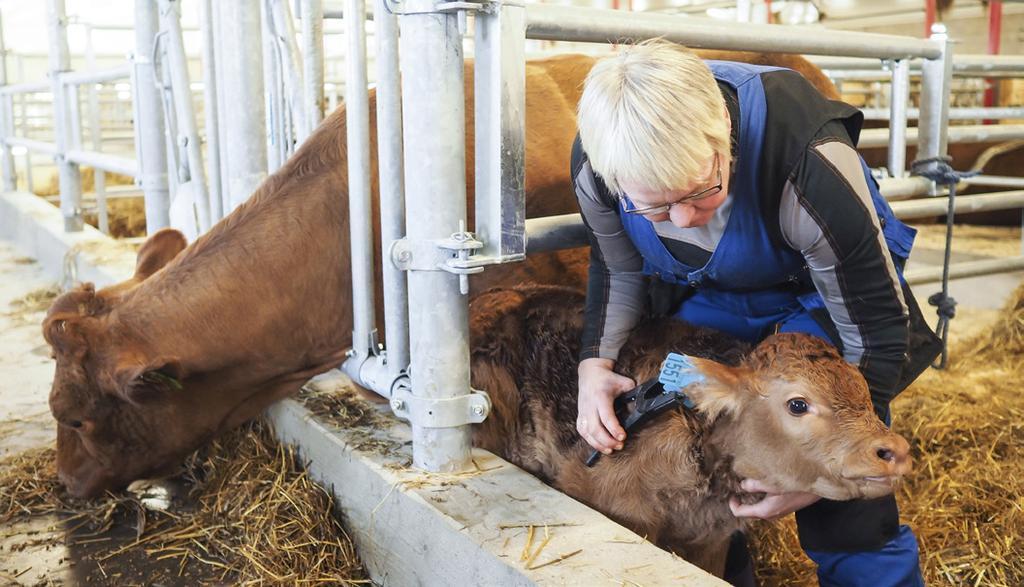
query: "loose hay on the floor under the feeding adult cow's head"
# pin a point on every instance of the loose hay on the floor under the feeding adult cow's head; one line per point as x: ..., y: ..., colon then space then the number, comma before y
x: 251, y: 517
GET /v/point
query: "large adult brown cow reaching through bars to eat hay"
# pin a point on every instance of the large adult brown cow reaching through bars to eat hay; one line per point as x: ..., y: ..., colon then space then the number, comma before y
x: 205, y: 338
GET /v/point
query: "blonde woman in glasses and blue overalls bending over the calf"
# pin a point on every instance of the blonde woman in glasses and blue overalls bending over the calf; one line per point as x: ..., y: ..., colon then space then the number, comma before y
x: 732, y: 196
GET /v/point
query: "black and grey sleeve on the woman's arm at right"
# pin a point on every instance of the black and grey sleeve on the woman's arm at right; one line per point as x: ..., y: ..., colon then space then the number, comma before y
x: 827, y: 214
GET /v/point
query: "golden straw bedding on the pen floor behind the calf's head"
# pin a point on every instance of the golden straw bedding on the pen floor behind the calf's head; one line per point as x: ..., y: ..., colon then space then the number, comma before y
x: 965, y: 499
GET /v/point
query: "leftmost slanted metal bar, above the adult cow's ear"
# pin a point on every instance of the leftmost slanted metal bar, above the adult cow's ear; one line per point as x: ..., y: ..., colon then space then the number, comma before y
x: 185, y: 114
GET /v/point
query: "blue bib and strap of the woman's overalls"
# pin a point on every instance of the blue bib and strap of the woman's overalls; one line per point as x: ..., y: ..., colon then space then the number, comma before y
x: 749, y: 274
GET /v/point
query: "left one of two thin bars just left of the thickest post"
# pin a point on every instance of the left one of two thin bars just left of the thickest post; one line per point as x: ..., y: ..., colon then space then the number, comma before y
x: 360, y: 209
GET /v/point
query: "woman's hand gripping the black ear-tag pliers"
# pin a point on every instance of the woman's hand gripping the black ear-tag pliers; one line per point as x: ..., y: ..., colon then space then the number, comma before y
x: 600, y: 387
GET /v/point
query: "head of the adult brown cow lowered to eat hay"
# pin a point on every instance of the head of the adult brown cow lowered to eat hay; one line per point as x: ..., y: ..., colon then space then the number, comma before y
x: 119, y: 407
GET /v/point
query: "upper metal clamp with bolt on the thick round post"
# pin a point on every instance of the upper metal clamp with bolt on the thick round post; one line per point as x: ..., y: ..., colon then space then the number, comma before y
x: 452, y: 256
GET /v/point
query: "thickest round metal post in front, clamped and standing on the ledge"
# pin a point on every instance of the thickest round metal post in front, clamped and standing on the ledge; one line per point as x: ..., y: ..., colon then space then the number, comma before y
x: 434, y: 125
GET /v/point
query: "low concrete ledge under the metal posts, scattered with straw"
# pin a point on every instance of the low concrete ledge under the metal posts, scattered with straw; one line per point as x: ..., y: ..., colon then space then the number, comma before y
x: 411, y: 528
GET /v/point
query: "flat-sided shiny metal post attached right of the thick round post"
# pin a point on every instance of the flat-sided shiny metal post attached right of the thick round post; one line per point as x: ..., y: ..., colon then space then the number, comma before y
x: 500, y: 80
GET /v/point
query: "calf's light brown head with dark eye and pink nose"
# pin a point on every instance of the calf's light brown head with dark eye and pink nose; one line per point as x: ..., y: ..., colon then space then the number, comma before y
x: 802, y: 421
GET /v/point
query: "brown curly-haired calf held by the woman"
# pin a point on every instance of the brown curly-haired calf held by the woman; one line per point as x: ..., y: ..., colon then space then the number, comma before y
x: 791, y: 412
